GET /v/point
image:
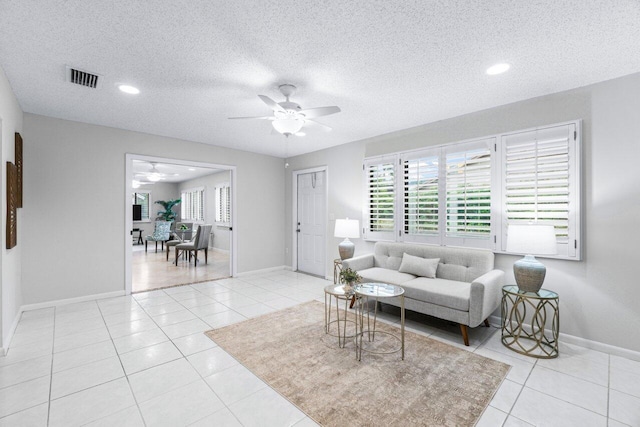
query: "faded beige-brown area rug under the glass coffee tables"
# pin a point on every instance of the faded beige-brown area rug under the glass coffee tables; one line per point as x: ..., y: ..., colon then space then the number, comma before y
x: 436, y: 385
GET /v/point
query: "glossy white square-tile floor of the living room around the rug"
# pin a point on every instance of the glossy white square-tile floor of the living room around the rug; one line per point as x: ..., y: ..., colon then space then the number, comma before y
x: 142, y: 360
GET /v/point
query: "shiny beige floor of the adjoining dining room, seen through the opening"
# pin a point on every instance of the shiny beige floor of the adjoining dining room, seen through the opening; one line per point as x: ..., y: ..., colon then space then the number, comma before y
x: 151, y: 270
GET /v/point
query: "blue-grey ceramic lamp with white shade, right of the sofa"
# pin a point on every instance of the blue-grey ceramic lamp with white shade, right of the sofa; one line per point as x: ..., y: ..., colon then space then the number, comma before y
x: 531, y: 239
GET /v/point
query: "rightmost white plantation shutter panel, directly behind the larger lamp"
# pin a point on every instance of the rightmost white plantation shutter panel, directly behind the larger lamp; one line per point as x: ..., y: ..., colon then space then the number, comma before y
x: 540, y: 182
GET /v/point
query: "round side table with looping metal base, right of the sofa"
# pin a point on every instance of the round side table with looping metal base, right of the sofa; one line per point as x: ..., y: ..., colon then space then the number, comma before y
x: 530, y: 322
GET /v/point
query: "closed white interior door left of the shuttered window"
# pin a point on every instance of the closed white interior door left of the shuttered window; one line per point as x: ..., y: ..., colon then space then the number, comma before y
x: 312, y: 222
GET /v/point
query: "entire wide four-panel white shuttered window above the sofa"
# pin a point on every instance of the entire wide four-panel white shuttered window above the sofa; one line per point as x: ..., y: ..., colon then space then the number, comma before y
x: 466, y: 194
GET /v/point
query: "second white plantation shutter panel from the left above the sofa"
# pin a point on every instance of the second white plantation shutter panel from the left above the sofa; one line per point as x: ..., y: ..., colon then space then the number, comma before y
x: 421, y: 204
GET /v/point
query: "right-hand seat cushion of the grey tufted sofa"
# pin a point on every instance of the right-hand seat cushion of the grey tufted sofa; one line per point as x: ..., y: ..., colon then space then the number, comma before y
x: 447, y: 293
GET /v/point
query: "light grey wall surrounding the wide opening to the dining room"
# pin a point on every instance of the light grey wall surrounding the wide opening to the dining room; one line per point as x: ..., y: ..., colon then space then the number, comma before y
x: 67, y: 161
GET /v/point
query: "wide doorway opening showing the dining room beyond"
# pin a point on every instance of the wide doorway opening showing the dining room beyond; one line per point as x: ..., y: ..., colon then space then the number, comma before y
x: 206, y: 195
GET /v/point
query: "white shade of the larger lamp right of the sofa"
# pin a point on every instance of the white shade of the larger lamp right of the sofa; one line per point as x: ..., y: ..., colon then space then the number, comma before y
x: 534, y: 239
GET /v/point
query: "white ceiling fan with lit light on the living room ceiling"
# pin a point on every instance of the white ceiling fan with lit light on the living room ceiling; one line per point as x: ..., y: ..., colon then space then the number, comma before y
x: 288, y: 117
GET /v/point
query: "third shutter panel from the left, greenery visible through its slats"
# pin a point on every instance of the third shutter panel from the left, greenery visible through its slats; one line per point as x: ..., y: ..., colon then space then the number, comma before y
x: 468, y: 194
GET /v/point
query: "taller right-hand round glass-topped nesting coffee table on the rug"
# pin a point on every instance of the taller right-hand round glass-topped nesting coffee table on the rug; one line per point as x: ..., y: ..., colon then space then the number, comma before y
x: 376, y: 291
